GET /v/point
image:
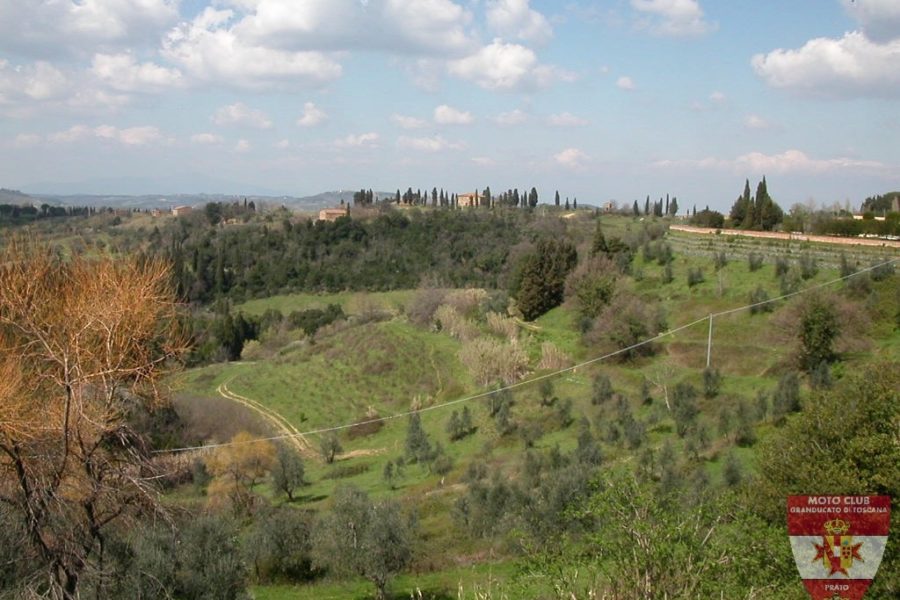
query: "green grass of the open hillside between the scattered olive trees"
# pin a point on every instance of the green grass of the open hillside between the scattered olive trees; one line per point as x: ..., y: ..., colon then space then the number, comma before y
x: 386, y: 367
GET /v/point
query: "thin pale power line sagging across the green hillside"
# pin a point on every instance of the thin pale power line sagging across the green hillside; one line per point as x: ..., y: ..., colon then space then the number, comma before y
x: 519, y: 384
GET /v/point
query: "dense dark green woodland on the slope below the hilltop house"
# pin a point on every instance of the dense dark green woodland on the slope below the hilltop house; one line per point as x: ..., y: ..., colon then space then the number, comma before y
x: 389, y: 251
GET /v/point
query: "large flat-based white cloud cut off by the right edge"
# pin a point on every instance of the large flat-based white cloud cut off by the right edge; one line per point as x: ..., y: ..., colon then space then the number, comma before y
x: 851, y: 66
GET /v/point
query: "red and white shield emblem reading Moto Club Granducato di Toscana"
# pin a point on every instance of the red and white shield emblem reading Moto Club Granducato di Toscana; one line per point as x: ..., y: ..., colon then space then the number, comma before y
x: 838, y: 542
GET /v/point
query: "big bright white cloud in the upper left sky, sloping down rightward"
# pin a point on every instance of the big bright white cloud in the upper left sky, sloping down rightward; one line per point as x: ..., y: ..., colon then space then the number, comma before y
x: 212, y: 52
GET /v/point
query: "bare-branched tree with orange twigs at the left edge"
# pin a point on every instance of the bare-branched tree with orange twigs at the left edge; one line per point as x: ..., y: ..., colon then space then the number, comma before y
x: 81, y: 340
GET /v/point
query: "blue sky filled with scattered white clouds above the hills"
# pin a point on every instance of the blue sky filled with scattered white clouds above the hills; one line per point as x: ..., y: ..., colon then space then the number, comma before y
x: 603, y: 100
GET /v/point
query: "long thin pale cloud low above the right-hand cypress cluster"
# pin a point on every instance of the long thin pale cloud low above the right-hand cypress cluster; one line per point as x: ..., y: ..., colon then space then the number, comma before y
x: 789, y: 161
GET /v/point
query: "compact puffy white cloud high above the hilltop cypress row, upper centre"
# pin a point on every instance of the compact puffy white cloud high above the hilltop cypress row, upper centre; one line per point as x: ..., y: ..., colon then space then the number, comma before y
x: 506, y: 67
